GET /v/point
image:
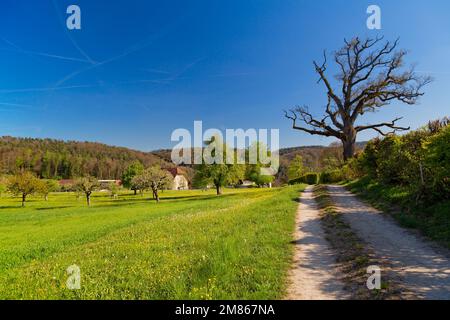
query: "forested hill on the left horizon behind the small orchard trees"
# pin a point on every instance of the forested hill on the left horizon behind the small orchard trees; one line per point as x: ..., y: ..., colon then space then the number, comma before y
x: 51, y: 159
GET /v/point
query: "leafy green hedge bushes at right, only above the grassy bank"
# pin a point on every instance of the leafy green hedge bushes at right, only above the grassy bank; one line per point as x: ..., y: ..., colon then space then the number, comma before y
x: 417, y: 161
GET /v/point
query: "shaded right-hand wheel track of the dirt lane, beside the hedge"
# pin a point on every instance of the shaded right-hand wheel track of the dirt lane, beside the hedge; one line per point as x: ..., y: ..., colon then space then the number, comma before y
x: 424, y: 270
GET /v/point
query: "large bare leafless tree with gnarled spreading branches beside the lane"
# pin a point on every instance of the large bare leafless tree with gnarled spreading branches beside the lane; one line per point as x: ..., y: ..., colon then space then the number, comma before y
x: 371, y: 75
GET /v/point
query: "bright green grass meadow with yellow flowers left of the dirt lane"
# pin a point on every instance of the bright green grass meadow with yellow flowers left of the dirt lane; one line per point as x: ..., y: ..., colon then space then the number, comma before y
x: 192, y: 245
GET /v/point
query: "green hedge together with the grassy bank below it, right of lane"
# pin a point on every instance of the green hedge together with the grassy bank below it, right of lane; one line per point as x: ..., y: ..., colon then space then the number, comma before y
x: 410, y: 176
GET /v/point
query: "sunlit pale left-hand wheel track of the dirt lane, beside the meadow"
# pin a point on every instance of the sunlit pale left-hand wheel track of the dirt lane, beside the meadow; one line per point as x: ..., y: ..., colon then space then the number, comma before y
x: 314, y: 276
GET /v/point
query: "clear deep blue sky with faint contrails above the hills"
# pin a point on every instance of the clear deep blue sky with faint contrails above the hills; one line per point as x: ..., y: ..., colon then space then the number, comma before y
x: 140, y: 69
